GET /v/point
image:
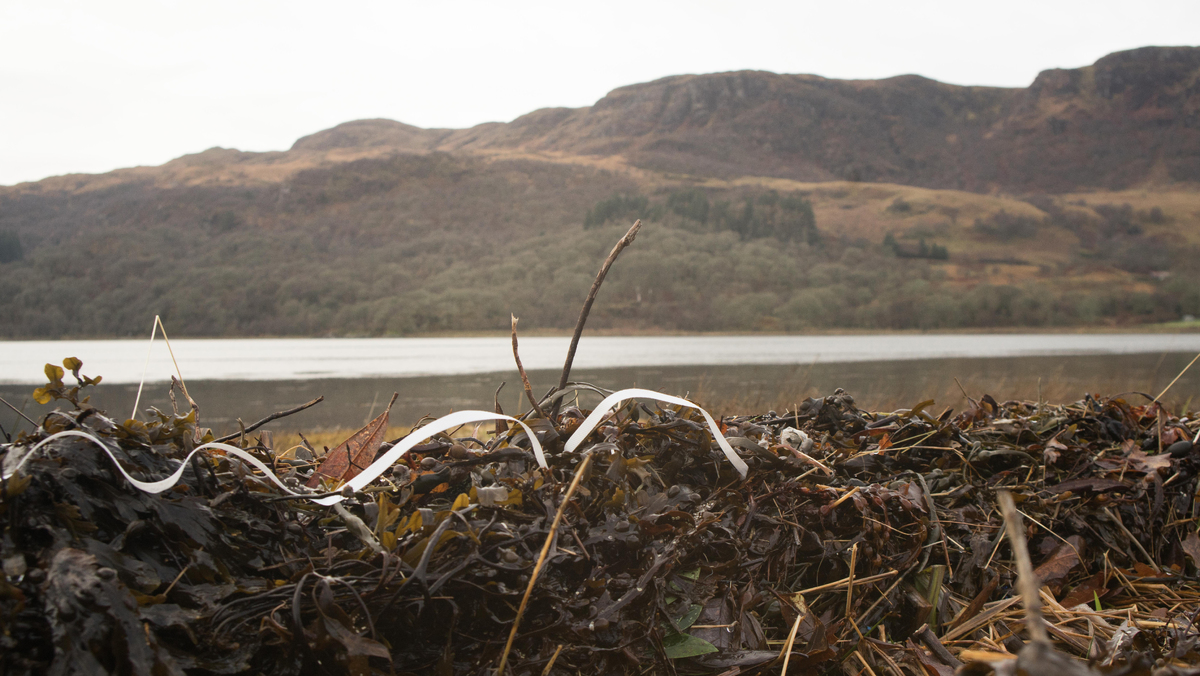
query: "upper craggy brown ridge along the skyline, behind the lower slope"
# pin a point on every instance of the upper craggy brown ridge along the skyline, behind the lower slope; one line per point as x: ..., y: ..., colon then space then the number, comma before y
x: 1130, y: 119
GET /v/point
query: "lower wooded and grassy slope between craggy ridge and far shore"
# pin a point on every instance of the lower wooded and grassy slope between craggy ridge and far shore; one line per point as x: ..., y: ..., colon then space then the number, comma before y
x: 370, y: 243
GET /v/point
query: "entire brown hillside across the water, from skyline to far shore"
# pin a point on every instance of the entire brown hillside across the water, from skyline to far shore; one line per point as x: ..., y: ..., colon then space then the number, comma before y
x: 773, y: 204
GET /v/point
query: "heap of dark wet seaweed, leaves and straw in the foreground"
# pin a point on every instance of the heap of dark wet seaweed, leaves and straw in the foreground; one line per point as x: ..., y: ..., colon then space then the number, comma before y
x: 861, y: 543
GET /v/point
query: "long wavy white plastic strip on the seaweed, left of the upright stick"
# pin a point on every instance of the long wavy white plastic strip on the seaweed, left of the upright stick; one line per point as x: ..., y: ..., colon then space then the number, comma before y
x: 357, y: 483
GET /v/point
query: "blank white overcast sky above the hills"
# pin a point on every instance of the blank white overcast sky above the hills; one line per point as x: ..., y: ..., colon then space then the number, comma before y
x: 94, y: 86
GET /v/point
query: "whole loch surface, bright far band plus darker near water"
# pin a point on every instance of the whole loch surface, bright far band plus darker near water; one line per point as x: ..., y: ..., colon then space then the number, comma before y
x: 251, y: 379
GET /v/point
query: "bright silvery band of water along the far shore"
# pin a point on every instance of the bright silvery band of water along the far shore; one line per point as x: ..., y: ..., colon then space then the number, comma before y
x: 292, y: 360
